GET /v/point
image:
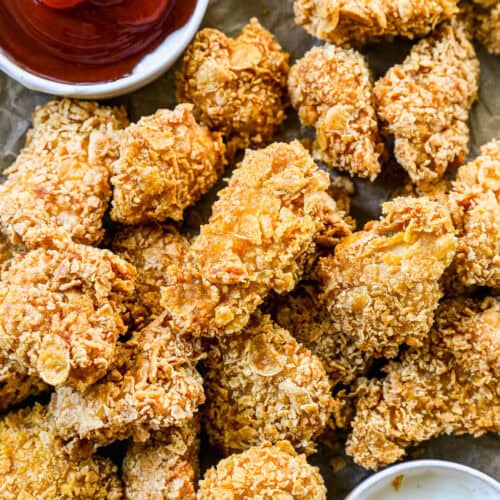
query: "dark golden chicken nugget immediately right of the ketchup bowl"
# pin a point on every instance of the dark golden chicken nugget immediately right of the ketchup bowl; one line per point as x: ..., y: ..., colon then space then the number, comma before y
x: 238, y: 86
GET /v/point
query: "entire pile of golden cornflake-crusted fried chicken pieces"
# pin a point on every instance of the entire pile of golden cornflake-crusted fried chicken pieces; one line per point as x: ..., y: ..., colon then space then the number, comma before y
x: 119, y: 324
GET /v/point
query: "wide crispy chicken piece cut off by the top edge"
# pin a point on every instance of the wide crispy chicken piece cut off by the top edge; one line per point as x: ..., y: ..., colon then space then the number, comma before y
x: 359, y: 22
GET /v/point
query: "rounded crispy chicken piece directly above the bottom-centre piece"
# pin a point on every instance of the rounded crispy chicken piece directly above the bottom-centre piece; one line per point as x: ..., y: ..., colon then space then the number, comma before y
x: 262, y: 385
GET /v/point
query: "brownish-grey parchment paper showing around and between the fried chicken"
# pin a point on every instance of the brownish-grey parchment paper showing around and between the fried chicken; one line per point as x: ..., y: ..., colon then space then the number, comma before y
x: 17, y: 104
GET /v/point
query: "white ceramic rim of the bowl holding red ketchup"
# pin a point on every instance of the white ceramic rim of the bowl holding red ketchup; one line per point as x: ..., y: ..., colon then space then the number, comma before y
x: 147, y: 70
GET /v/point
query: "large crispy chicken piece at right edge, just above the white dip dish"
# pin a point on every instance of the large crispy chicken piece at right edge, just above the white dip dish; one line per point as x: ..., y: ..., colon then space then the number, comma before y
x: 447, y: 386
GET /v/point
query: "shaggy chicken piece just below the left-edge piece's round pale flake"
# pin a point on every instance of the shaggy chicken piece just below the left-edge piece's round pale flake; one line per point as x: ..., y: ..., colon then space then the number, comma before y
x: 152, y: 385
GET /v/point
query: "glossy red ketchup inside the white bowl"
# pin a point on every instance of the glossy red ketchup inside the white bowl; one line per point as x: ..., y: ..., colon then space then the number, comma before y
x: 78, y: 41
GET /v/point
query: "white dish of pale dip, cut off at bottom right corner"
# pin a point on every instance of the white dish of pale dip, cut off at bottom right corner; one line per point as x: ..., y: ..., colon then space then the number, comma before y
x: 428, y: 480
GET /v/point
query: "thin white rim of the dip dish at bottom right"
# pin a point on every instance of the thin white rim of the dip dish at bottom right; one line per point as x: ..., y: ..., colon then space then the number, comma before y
x: 375, y: 479
